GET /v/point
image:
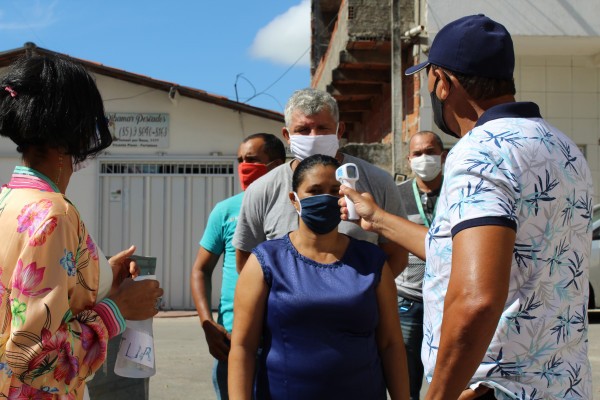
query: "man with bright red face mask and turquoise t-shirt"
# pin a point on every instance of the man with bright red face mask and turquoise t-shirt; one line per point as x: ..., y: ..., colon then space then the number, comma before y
x: 258, y: 154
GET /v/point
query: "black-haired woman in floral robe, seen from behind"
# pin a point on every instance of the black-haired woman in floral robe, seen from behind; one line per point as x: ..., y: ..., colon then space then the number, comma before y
x: 60, y: 299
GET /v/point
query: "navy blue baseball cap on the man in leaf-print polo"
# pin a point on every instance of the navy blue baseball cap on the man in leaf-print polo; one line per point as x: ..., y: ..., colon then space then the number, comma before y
x: 474, y: 45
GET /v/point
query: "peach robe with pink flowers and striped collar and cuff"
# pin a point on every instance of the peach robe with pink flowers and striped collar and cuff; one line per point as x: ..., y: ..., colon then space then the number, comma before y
x: 52, y: 334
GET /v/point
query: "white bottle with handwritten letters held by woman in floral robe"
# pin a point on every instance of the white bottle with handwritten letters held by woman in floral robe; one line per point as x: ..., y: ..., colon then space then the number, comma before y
x: 136, y: 351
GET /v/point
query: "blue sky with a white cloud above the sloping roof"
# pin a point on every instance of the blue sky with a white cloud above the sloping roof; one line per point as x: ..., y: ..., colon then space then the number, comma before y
x: 204, y: 44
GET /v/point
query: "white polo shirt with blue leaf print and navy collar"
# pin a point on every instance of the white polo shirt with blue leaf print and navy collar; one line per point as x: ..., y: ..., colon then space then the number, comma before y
x: 516, y: 170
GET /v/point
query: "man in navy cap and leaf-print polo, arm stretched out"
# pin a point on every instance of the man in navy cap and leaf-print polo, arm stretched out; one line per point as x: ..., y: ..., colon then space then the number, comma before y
x: 507, y: 255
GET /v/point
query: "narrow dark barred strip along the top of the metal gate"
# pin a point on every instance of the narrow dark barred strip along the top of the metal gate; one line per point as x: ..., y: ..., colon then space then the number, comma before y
x: 168, y: 168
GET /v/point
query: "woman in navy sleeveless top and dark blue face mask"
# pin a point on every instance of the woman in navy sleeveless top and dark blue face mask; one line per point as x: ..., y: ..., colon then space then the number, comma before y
x: 323, y: 304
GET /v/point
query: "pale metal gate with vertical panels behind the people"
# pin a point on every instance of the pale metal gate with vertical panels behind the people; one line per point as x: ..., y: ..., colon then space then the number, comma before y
x: 162, y: 207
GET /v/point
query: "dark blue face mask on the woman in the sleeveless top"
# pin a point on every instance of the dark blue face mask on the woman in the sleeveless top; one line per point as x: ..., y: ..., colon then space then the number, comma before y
x: 320, y: 213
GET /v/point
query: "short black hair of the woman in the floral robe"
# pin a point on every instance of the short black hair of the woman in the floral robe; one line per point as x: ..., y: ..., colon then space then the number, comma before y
x: 51, y: 101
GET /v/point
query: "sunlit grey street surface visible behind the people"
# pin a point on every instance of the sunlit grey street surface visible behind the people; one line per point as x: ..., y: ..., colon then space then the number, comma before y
x: 184, y: 364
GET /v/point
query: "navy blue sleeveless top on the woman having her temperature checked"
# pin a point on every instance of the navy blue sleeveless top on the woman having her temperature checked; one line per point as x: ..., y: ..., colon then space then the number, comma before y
x: 319, y: 337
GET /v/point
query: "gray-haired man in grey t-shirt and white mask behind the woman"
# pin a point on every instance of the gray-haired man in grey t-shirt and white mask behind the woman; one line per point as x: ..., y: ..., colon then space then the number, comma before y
x: 312, y: 126
